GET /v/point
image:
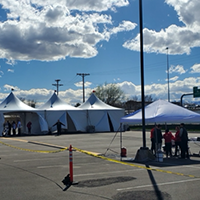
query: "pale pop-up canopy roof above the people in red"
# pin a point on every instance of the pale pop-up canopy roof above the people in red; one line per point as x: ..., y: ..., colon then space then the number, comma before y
x: 162, y: 111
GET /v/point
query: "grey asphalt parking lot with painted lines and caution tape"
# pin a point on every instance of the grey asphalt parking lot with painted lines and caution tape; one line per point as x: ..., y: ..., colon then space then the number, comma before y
x: 33, y: 167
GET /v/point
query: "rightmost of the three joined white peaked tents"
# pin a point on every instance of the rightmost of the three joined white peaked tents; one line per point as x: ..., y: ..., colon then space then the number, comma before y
x: 102, y: 116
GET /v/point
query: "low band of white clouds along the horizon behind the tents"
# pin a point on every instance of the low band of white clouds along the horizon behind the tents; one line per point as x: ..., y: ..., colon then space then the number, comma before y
x: 72, y: 97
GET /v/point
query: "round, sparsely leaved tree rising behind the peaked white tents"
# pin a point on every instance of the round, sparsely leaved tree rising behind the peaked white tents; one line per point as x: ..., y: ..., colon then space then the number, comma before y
x: 110, y: 94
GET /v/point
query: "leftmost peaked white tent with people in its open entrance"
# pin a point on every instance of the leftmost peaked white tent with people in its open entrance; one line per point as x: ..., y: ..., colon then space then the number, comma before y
x: 15, y: 107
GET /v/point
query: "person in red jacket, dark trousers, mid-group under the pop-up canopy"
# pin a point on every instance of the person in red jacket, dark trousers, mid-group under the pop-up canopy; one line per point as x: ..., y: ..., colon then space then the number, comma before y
x: 168, y: 142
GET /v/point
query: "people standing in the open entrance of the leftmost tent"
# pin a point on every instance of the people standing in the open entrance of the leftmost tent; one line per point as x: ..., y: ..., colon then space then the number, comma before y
x: 14, y: 128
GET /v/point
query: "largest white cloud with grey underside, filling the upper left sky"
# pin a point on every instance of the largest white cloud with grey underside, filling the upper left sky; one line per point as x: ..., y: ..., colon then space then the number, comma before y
x: 52, y: 30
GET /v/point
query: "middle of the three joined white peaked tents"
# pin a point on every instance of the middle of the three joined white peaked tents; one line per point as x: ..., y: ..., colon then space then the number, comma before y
x: 56, y: 109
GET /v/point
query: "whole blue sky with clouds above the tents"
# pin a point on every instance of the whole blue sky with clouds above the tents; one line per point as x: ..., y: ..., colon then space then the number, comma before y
x: 42, y: 41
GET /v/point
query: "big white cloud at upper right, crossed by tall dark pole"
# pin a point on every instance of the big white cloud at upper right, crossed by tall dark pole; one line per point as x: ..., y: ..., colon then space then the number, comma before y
x: 180, y: 40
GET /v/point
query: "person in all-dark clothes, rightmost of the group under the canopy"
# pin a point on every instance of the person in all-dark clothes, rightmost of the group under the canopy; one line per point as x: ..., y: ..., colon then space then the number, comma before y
x: 184, y: 141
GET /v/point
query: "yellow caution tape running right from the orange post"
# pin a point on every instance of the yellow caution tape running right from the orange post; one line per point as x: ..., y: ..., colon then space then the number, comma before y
x: 131, y: 164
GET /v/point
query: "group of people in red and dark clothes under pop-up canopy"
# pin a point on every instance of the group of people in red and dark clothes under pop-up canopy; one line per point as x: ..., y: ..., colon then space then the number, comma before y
x: 180, y: 138
